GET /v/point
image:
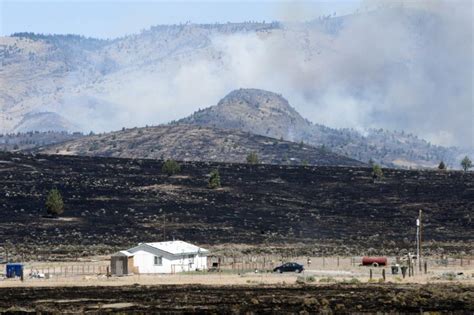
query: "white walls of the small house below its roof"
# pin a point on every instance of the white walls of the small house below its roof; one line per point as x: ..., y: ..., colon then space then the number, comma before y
x: 145, y: 262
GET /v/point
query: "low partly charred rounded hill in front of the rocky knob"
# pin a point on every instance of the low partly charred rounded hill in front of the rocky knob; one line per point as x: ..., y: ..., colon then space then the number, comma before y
x: 195, y: 143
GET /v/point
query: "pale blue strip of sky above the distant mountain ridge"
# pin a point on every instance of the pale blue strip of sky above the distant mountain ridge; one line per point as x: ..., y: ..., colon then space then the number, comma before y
x: 109, y: 19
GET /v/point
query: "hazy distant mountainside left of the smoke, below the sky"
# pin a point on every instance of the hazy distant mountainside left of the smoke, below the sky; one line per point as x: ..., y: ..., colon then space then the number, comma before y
x: 89, y: 83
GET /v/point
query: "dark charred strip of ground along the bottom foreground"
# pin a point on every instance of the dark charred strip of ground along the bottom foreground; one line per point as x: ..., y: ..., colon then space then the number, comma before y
x: 372, y: 298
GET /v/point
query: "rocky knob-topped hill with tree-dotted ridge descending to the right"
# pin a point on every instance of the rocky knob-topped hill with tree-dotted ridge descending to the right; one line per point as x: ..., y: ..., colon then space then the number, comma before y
x: 270, y: 114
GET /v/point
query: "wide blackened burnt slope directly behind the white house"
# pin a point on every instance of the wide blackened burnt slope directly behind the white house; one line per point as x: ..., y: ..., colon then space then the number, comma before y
x: 114, y: 203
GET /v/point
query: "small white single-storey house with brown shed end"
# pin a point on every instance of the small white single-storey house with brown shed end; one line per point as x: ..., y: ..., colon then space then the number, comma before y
x: 161, y: 257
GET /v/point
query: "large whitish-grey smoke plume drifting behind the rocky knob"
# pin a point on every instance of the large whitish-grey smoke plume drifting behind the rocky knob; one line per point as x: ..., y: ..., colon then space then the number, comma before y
x: 408, y: 67
